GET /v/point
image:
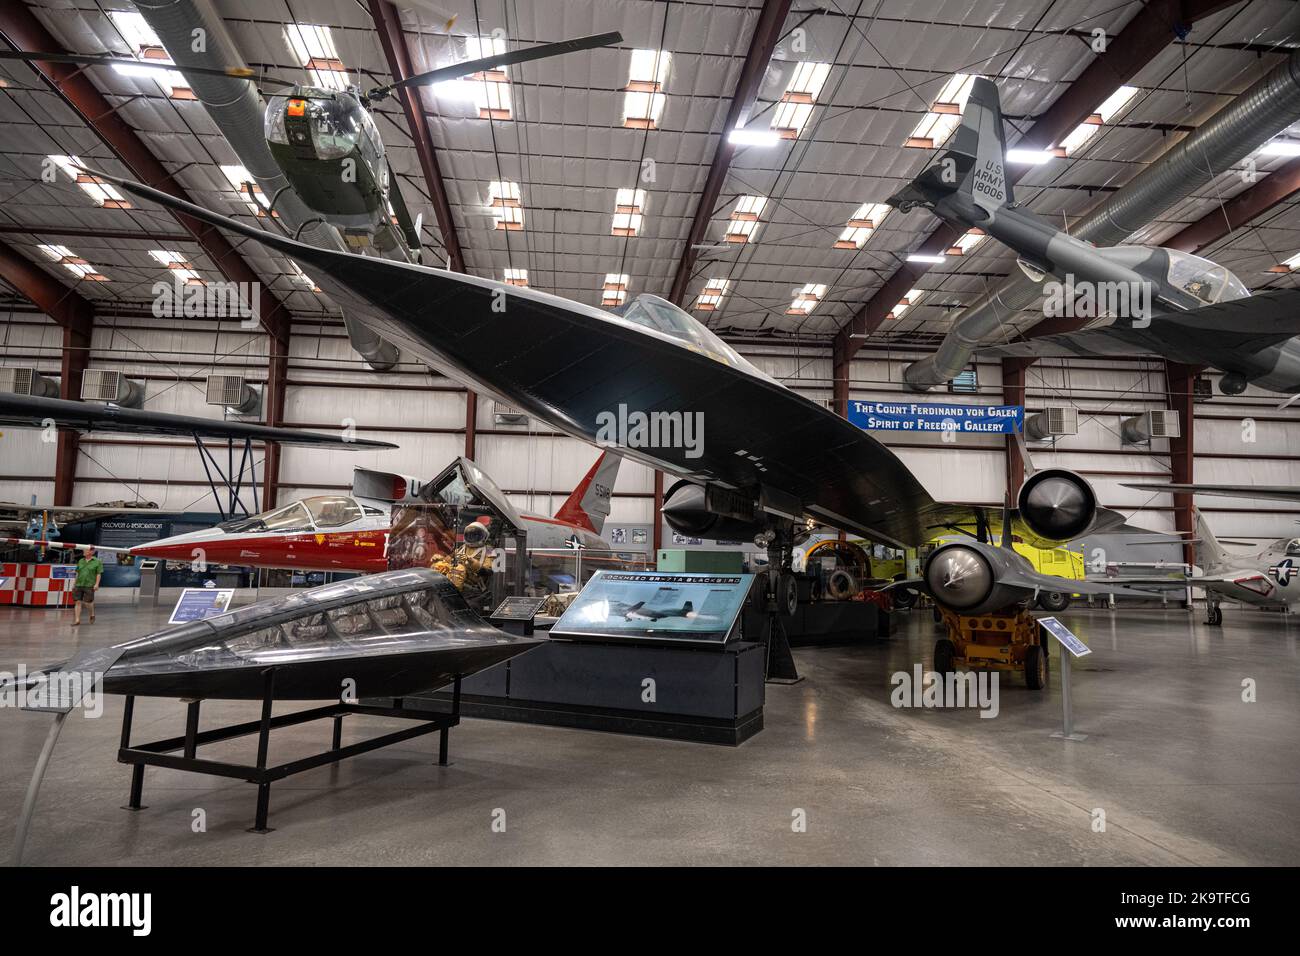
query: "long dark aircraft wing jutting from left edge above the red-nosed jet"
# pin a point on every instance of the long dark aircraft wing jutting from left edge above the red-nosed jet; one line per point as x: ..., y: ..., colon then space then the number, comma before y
x: 32, y: 412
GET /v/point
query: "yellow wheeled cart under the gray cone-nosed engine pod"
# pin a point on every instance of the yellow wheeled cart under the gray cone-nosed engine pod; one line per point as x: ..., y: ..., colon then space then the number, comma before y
x: 1004, y: 641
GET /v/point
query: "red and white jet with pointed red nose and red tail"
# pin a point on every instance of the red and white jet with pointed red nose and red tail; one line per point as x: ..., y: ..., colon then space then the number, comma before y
x: 340, y: 533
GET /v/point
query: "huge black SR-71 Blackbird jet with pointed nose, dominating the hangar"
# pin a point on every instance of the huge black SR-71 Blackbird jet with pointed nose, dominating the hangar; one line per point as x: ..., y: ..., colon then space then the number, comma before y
x: 768, y: 460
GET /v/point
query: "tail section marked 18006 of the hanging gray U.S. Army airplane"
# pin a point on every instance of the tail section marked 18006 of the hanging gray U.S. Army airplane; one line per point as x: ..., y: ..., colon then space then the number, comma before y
x: 973, y: 163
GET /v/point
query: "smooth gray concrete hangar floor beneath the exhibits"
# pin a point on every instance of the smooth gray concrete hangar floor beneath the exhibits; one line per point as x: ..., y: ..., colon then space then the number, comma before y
x: 1188, y: 775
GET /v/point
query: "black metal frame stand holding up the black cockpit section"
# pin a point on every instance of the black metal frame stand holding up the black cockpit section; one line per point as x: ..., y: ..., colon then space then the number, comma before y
x: 161, y: 754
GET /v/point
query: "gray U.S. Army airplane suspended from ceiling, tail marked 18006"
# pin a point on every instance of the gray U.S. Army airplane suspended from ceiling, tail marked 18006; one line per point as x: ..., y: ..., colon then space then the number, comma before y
x: 1160, y: 301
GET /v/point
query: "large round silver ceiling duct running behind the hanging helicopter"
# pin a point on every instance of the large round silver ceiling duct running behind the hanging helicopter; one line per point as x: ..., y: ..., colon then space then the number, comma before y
x: 239, y: 111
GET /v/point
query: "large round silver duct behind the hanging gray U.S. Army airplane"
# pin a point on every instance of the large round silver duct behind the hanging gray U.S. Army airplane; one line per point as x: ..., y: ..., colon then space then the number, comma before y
x: 1227, y: 139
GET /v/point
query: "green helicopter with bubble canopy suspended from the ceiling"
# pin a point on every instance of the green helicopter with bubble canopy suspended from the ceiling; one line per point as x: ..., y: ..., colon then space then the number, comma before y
x: 328, y: 145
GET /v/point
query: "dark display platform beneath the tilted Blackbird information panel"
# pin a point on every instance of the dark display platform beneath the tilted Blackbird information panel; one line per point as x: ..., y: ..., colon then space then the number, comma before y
x: 705, y: 695
